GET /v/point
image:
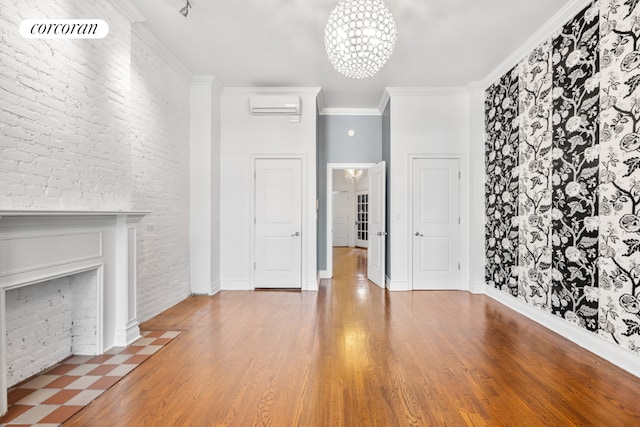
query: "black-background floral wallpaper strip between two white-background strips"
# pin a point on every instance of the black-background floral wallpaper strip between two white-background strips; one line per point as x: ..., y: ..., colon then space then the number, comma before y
x: 575, y: 170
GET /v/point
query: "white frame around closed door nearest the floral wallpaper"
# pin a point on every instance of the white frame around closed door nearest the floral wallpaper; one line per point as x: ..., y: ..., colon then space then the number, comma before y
x: 463, y: 247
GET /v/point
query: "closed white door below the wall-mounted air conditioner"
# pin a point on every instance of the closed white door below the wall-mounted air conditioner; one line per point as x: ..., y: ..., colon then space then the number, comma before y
x: 278, y: 223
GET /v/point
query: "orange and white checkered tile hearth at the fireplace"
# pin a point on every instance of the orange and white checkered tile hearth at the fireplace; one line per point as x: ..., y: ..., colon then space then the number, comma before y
x: 50, y: 398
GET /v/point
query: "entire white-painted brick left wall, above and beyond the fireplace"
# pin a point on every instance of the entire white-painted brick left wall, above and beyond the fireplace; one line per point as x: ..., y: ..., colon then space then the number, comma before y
x: 99, y: 125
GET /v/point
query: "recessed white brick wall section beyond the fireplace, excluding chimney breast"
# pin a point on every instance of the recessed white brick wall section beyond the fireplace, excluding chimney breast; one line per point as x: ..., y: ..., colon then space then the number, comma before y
x: 160, y: 165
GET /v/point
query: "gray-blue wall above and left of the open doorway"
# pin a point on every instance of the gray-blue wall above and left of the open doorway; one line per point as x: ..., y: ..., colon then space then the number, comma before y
x: 335, y: 146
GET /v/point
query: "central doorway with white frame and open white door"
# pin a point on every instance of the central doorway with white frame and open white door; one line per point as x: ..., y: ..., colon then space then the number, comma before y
x: 355, y: 214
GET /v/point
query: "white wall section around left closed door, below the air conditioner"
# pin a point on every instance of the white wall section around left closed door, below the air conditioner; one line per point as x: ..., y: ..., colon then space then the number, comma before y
x: 244, y: 136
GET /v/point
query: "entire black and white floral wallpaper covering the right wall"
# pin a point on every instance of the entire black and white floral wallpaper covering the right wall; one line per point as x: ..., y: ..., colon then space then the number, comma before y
x: 570, y: 193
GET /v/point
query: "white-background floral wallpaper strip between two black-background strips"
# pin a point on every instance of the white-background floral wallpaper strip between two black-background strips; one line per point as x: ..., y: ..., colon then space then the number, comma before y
x: 534, y: 200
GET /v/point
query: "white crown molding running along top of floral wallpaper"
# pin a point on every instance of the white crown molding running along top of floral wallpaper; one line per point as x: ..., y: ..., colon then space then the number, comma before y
x: 545, y: 32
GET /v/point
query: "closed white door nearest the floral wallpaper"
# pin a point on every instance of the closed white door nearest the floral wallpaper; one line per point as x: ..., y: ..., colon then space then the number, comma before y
x: 436, y: 224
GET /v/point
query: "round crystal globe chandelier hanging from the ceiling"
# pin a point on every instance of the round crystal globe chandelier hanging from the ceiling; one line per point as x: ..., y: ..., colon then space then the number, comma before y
x: 359, y: 37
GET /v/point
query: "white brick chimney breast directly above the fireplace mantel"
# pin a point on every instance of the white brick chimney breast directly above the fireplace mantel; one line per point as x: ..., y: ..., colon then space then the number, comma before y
x: 63, y: 110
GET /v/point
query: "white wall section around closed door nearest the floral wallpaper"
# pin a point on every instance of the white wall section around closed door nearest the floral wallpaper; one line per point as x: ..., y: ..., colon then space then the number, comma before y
x: 431, y: 123
